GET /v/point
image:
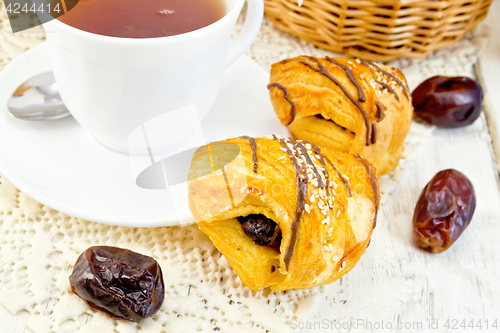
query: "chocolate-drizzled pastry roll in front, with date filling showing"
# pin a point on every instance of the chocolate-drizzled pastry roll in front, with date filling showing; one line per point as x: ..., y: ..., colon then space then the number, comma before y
x: 284, y: 213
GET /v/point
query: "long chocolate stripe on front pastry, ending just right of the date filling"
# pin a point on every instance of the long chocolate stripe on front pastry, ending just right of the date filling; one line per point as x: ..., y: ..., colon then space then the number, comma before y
x: 300, y: 173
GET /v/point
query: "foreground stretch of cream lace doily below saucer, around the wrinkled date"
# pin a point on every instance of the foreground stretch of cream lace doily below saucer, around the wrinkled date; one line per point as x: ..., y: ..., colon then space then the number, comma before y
x: 40, y: 246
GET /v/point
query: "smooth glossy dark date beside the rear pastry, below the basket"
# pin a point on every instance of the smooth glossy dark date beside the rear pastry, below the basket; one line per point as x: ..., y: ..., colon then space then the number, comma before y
x: 448, y: 101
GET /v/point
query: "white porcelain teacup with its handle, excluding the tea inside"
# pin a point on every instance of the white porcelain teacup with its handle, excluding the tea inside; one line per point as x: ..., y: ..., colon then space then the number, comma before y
x: 112, y: 86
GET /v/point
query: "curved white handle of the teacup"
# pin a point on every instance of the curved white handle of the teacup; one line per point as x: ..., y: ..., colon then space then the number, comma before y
x: 253, y: 21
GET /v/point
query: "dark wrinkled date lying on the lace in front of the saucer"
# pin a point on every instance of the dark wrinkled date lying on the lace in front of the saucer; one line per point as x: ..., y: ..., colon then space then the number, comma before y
x: 122, y: 283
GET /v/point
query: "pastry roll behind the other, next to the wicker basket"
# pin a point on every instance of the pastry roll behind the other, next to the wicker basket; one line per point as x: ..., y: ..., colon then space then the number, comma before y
x: 354, y: 106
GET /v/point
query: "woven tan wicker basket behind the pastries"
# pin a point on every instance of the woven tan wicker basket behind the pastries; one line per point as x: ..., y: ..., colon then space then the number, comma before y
x: 378, y: 29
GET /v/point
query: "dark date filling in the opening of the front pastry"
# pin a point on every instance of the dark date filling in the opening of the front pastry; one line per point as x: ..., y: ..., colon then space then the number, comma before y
x: 261, y: 230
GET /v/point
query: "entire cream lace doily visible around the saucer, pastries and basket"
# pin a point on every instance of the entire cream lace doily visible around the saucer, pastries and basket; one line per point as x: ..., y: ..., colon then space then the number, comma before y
x: 40, y: 245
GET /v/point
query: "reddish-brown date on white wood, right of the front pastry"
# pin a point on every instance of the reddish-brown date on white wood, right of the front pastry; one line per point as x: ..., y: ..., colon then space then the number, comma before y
x: 443, y: 211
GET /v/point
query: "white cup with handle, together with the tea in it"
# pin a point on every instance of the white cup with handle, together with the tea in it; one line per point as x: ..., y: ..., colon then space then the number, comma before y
x: 121, y: 63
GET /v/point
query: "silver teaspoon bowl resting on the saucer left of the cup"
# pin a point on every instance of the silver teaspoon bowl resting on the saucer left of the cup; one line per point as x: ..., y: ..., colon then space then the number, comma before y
x: 38, y: 99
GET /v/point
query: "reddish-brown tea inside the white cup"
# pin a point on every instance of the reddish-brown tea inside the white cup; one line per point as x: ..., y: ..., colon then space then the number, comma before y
x: 143, y: 18
